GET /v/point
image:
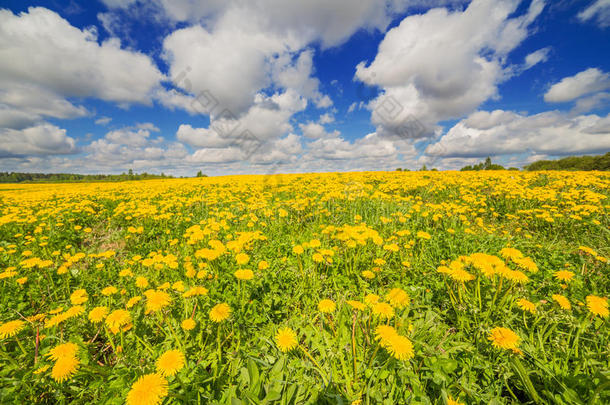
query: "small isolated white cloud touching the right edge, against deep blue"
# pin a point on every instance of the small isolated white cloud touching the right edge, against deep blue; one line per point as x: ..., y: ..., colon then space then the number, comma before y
x: 570, y: 88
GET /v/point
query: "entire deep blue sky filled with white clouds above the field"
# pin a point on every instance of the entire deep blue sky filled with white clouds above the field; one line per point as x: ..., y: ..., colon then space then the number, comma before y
x: 272, y: 86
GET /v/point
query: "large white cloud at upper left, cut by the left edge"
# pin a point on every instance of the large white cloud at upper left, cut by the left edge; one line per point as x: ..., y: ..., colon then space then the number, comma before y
x: 42, y: 50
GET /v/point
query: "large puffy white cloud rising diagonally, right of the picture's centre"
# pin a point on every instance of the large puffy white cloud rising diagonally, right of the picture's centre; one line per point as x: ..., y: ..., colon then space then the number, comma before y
x: 441, y: 65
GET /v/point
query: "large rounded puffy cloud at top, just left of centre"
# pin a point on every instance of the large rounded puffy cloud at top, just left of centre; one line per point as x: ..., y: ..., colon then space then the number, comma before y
x: 225, y: 66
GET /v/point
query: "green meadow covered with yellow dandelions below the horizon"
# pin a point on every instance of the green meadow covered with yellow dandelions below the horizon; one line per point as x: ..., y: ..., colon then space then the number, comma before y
x: 354, y: 288
